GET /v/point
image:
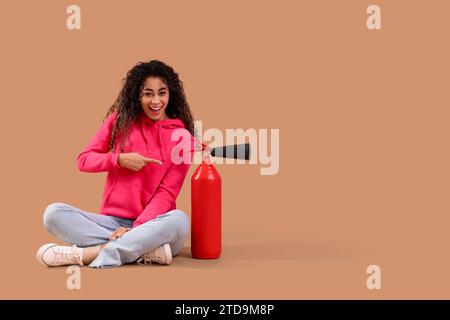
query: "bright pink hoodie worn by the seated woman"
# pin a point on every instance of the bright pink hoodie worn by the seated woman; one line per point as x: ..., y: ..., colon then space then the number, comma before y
x: 144, y: 194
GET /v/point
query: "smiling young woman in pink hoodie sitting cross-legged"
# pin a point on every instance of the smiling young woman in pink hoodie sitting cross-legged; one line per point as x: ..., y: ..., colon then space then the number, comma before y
x: 139, y: 220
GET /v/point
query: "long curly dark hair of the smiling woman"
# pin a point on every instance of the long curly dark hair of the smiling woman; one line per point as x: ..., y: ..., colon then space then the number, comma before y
x: 128, y: 106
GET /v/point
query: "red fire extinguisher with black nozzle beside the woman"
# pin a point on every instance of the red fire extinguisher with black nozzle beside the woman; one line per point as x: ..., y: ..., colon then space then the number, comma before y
x: 206, y: 201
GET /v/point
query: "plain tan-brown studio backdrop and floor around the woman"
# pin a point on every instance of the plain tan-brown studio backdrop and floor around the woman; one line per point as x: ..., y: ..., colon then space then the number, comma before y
x: 363, y: 119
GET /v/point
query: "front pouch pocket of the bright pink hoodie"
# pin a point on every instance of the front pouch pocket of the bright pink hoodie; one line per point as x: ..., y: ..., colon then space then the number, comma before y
x: 127, y: 200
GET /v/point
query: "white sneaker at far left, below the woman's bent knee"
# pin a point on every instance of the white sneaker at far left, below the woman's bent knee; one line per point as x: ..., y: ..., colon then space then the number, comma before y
x: 52, y: 255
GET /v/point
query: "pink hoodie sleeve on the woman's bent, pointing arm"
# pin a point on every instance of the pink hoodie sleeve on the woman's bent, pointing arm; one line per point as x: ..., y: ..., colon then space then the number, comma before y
x: 95, y: 156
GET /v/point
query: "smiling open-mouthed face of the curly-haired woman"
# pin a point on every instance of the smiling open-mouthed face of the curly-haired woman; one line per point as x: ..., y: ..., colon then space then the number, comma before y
x: 154, y: 98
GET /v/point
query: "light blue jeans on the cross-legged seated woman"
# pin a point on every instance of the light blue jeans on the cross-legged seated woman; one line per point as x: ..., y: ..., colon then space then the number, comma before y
x: 86, y: 229
